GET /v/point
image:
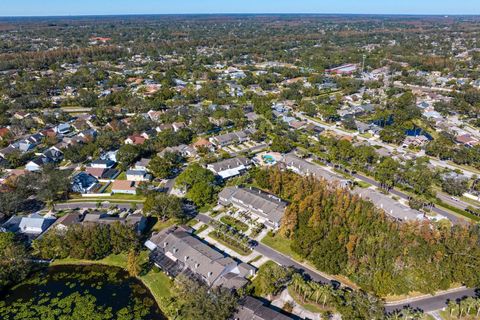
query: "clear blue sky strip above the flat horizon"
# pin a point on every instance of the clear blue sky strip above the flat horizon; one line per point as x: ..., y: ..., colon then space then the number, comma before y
x: 91, y: 7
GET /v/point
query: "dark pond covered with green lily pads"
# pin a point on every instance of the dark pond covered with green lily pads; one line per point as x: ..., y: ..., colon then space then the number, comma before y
x: 79, y: 292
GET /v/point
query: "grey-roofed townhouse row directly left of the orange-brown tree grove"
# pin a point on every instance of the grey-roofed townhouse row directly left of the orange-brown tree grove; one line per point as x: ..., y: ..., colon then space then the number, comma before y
x: 268, y: 208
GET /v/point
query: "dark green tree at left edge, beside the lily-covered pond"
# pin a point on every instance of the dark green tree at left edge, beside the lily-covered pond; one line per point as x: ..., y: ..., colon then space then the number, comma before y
x: 14, y: 260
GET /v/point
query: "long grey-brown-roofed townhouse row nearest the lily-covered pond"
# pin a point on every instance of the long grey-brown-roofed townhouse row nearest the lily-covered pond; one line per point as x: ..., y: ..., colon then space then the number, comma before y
x: 176, y: 250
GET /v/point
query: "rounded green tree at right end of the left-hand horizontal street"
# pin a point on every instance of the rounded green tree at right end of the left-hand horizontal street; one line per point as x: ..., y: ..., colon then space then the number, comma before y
x: 163, y: 206
